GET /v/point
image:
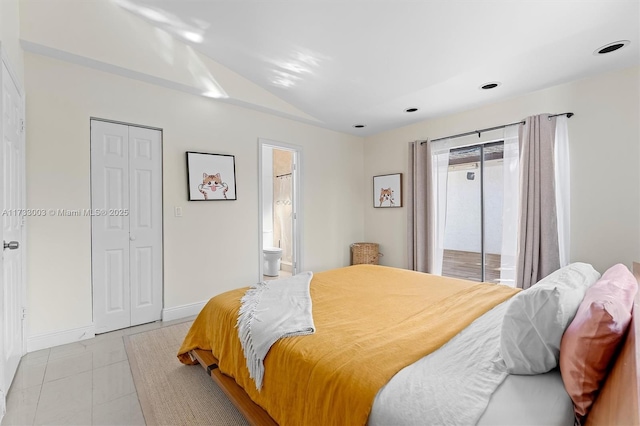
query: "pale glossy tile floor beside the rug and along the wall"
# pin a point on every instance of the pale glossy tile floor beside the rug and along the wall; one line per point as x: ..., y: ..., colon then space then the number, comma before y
x: 83, y: 383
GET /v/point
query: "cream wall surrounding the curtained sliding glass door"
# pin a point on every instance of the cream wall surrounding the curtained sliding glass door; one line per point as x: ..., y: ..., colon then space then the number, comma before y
x: 605, y: 152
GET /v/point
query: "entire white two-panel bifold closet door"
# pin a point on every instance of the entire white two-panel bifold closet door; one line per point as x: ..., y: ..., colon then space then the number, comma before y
x: 126, y: 208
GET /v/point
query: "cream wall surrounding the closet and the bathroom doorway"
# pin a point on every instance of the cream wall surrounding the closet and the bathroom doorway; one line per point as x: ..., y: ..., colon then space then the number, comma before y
x: 214, y: 246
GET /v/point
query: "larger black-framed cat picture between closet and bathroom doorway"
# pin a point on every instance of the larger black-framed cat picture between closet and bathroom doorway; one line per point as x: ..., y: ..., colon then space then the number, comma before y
x: 211, y: 177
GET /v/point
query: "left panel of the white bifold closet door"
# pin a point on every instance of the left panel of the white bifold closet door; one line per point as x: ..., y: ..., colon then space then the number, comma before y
x: 110, y: 233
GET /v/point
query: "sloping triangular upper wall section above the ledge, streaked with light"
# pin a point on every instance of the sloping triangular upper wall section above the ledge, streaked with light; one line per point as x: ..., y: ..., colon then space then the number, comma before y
x: 106, y: 36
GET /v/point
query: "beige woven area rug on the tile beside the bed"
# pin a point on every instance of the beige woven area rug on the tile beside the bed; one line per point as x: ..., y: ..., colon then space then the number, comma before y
x: 170, y: 392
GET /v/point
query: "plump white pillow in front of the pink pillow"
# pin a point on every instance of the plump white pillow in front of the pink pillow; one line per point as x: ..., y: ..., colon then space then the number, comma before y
x: 537, y: 317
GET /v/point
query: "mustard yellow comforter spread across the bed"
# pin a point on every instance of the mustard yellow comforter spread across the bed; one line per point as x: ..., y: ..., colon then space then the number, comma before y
x: 371, y: 321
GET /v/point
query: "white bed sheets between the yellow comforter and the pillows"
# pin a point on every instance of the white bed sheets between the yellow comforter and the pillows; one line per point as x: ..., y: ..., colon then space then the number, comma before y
x: 465, y: 382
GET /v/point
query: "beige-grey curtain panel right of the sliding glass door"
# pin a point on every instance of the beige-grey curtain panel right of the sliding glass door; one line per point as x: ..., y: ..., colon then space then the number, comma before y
x: 538, y: 253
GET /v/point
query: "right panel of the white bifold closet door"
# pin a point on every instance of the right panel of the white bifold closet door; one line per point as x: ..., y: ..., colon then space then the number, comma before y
x: 145, y: 224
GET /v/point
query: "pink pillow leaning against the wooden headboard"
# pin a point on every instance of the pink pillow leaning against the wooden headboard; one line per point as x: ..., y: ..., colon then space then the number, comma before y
x: 591, y: 340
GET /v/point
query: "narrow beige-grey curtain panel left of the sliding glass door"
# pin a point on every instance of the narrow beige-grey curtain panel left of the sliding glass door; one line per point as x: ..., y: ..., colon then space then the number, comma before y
x: 419, y: 219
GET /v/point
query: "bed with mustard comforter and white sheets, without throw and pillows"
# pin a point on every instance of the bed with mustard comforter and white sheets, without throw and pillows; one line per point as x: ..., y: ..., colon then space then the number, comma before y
x: 217, y: 349
